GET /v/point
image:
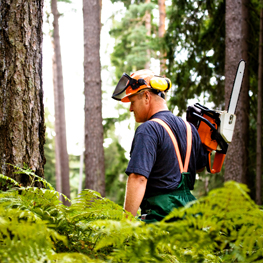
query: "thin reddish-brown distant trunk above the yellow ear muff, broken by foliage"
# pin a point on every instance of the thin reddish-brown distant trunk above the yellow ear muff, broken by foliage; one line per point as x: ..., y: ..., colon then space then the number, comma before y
x: 161, y: 32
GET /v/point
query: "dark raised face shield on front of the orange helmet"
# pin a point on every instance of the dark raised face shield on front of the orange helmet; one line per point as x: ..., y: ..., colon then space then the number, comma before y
x: 127, y: 86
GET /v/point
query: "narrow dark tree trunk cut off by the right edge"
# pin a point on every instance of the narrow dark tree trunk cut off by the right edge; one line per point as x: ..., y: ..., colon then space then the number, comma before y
x: 259, y: 116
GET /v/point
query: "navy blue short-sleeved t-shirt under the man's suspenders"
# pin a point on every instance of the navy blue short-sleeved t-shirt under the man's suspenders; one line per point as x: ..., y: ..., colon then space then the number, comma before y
x: 153, y: 154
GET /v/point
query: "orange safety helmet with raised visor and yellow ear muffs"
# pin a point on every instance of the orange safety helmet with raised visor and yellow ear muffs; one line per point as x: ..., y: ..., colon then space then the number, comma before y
x: 139, y: 80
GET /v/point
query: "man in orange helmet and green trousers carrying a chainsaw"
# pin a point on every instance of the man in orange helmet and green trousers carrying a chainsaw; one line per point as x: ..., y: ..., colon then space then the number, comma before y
x: 156, y: 182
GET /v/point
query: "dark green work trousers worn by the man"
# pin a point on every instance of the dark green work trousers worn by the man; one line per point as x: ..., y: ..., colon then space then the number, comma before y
x: 154, y: 208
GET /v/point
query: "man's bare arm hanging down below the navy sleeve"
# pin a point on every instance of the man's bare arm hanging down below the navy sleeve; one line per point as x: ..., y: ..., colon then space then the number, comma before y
x: 135, y: 189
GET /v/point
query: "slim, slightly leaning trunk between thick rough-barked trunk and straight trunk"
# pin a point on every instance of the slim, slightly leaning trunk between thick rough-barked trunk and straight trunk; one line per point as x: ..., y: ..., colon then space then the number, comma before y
x: 62, y: 160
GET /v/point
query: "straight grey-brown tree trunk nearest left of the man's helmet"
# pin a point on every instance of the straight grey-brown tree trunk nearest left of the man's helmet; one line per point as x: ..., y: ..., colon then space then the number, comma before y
x: 94, y: 153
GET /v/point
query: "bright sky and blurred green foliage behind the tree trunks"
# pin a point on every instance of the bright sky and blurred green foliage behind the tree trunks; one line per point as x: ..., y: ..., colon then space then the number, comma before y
x: 198, y: 49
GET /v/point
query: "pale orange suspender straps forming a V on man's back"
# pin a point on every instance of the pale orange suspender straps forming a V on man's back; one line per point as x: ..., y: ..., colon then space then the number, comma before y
x: 189, y: 144
